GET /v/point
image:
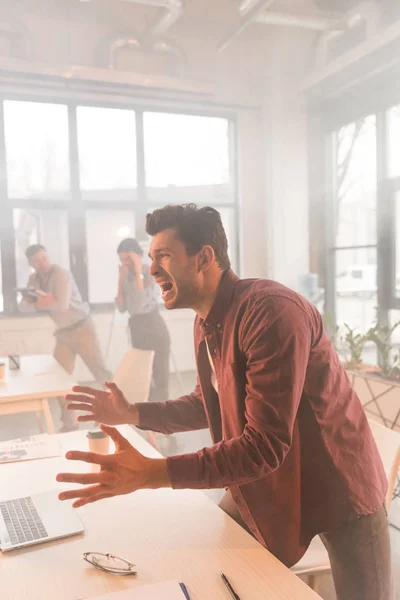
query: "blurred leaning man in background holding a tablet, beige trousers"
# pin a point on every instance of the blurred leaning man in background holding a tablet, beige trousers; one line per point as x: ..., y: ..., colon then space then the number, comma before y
x: 58, y: 295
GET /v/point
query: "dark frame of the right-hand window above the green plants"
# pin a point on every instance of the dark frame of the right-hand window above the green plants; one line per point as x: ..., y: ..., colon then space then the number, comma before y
x: 360, y: 102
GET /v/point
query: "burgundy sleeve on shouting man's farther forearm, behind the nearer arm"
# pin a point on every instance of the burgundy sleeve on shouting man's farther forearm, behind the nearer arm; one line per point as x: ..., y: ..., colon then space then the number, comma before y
x: 174, y: 416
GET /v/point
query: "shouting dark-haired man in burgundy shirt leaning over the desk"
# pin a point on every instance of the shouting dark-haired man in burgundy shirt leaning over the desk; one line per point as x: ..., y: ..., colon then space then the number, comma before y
x: 292, y: 444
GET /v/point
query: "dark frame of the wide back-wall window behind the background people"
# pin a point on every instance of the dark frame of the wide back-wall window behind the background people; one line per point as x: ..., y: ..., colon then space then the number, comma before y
x: 76, y: 207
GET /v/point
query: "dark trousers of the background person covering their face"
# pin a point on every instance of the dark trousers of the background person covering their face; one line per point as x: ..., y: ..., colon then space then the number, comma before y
x: 149, y: 332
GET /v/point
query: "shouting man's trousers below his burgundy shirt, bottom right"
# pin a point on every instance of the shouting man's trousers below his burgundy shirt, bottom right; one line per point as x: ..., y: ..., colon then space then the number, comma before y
x: 360, y: 557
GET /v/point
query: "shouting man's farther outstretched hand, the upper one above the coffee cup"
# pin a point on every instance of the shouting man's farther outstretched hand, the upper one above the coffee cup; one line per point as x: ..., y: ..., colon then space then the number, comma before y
x: 108, y: 406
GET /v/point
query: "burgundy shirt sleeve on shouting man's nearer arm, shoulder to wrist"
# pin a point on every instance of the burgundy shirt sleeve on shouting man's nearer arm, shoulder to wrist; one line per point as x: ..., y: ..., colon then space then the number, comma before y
x: 276, y: 340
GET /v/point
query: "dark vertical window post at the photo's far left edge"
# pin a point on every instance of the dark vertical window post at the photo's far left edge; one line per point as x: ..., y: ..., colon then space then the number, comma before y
x: 7, y: 233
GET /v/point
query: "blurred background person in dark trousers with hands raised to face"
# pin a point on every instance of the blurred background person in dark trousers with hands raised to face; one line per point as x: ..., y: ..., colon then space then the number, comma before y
x: 137, y: 294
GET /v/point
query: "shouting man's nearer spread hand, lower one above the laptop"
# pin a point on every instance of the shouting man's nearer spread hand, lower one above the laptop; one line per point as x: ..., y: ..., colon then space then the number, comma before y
x: 123, y: 472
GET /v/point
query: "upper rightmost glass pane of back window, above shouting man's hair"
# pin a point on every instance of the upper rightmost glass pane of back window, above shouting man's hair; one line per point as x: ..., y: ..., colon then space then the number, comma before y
x: 186, y: 150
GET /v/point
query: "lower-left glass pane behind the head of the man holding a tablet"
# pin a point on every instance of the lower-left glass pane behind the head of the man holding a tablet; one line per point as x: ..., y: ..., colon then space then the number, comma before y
x: 46, y: 227
